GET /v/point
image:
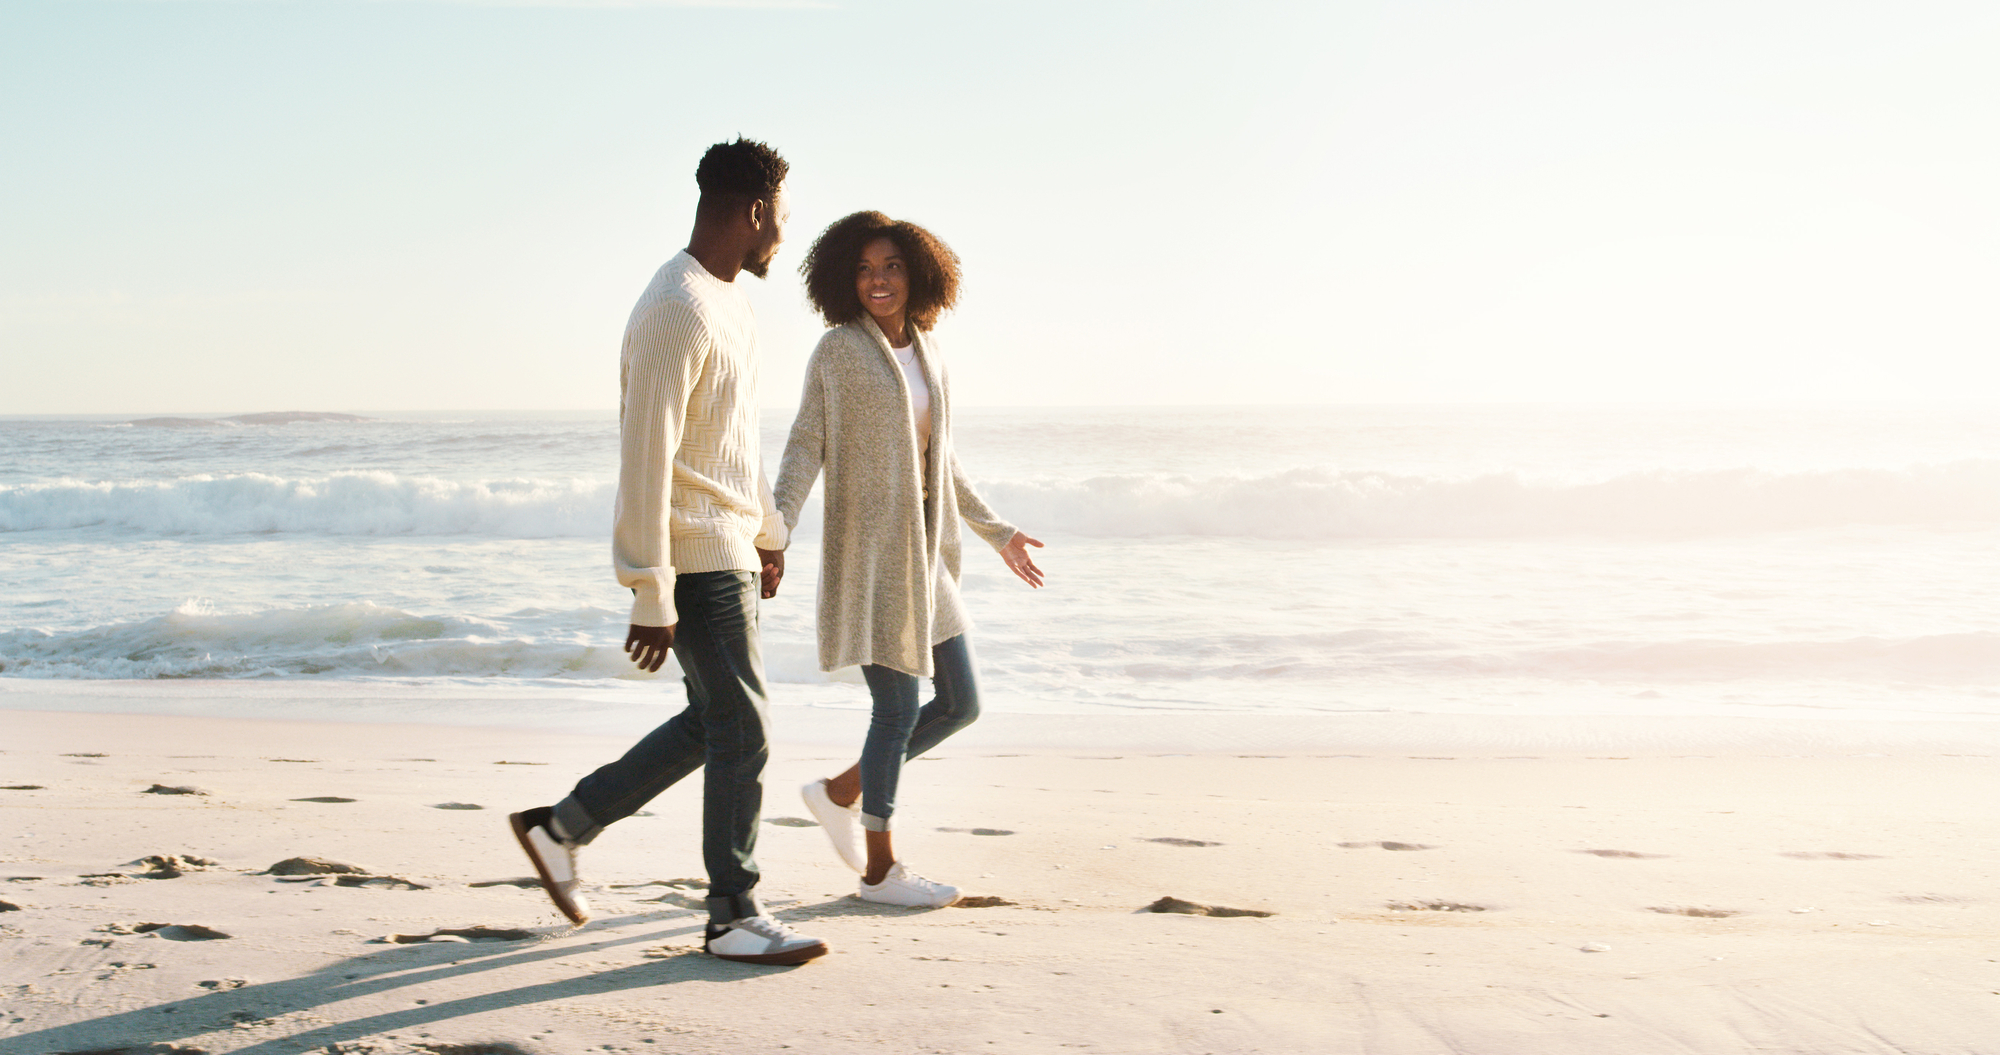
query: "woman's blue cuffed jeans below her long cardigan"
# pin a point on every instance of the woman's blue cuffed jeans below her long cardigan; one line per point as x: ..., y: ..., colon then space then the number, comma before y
x: 901, y: 732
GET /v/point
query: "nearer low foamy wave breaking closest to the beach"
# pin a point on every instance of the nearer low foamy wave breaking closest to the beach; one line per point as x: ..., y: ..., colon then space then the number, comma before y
x: 365, y: 640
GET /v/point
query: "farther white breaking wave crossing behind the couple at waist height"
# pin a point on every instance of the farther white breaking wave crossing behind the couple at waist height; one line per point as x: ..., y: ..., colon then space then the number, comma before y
x: 1299, y: 505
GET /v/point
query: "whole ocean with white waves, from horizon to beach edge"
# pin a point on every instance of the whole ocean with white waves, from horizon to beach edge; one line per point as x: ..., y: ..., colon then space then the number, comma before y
x: 1633, y: 560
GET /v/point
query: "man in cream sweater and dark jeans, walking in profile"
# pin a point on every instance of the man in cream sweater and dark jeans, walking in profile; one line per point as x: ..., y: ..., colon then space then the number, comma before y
x: 693, y: 536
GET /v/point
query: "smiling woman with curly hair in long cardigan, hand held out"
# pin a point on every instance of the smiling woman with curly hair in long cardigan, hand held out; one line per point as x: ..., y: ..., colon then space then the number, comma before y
x: 877, y: 417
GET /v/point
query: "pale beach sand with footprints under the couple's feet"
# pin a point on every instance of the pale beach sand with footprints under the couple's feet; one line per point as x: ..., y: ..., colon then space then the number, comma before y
x: 1427, y: 902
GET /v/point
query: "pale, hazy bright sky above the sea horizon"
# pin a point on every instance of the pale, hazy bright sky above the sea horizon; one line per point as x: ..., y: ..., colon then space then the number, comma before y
x: 343, y: 205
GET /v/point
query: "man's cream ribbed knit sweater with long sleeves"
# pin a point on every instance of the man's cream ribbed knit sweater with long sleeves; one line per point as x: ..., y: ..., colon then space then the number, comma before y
x: 691, y: 477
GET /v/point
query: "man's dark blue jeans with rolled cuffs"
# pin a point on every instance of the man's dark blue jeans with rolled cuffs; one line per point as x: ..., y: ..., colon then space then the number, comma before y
x: 723, y: 728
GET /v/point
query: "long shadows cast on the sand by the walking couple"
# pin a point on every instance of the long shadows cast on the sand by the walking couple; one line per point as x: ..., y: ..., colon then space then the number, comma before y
x: 383, y: 972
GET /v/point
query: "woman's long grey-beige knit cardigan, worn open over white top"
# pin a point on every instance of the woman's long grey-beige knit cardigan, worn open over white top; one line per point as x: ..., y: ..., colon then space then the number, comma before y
x: 889, y: 558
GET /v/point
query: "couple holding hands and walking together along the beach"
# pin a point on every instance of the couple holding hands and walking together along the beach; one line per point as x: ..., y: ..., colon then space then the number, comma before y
x: 701, y: 536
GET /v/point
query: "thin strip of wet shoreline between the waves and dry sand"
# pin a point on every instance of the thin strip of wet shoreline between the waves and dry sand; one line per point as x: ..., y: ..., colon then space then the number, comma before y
x: 619, y: 714
